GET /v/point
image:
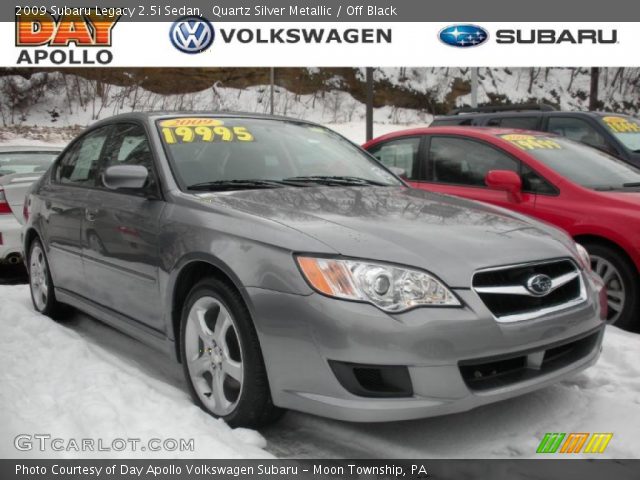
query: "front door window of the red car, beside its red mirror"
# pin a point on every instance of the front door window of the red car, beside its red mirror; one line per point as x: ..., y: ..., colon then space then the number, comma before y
x: 460, y: 161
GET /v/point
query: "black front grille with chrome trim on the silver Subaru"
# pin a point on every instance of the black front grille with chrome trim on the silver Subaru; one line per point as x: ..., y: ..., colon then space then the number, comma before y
x: 507, y: 293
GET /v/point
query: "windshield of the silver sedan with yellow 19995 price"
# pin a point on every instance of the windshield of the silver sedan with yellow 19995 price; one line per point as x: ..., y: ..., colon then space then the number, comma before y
x: 208, y: 152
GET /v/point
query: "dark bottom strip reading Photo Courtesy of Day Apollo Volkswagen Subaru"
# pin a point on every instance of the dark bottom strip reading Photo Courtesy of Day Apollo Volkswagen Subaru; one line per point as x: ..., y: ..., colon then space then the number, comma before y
x: 317, y: 469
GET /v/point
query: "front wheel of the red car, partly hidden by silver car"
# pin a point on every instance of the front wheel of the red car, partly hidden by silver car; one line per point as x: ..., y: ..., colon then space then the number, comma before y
x: 622, y: 283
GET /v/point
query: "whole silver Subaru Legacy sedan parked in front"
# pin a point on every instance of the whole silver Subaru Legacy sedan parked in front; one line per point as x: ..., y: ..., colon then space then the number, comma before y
x: 286, y: 269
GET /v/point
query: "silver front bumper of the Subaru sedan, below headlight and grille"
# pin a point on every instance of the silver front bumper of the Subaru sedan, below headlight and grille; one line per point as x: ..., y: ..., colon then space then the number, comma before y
x: 301, y: 335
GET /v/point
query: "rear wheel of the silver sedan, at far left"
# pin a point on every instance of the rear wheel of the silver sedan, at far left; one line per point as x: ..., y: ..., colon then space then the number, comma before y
x: 41, y: 285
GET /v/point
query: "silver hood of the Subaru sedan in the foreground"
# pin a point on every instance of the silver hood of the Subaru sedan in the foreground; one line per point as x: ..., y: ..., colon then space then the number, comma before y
x: 448, y: 236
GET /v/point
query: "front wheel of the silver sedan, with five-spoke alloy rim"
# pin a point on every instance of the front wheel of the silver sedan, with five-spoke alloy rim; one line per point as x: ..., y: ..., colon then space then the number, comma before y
x: 221, y: 357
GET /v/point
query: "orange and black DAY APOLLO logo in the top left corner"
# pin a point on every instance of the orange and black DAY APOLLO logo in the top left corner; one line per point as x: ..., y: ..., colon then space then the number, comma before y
x: 69, y: 34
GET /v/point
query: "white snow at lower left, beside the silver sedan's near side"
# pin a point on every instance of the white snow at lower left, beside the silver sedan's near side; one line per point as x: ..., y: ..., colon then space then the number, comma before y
x: 84, y: 380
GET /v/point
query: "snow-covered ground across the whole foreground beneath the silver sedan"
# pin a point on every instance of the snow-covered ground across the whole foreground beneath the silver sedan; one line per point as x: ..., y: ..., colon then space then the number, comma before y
x: 83, y: 379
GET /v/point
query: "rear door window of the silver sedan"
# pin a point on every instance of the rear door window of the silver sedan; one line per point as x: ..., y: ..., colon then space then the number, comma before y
x: 79, y: 166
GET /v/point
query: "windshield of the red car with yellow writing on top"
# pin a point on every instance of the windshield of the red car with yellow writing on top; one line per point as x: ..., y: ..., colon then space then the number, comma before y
x: 579, y: 163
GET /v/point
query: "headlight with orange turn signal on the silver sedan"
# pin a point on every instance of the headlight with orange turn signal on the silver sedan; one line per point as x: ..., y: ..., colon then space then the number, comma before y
x: 390, y: 288
